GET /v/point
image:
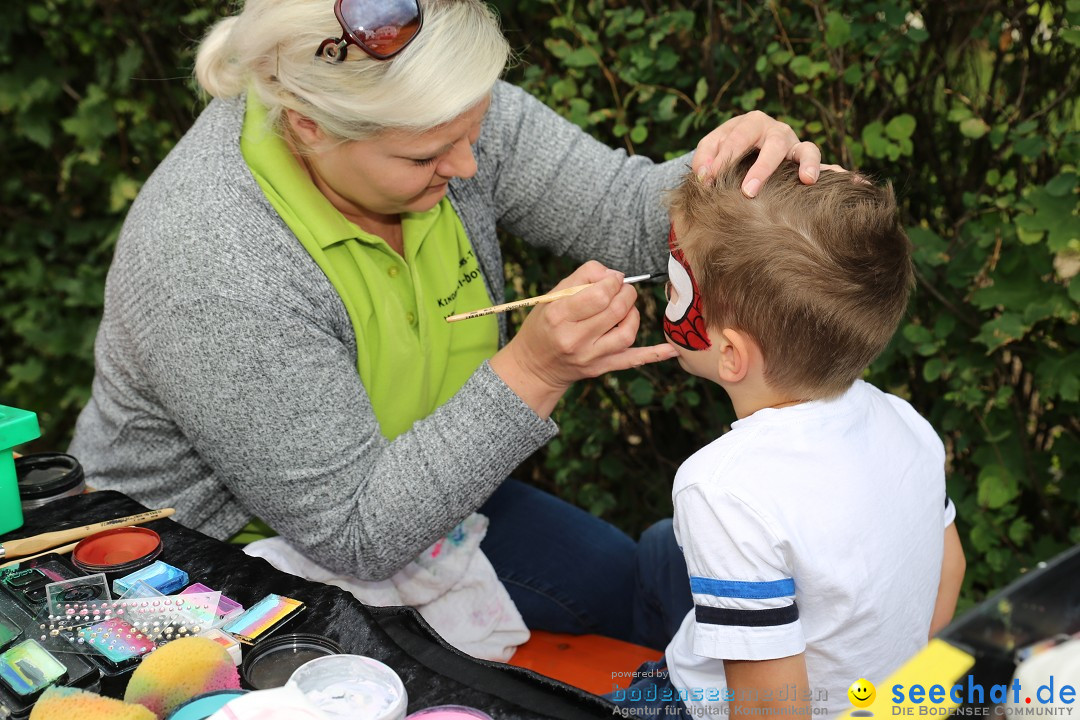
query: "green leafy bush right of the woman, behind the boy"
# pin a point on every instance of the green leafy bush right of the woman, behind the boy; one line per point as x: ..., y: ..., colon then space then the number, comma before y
x: 973, y: 113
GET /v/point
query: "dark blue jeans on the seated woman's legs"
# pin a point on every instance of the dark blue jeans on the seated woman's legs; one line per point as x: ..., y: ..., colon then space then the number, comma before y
x: 570, y: 572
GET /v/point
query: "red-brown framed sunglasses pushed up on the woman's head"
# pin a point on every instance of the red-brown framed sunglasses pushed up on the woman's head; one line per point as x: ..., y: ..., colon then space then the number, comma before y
x: 382, y: 29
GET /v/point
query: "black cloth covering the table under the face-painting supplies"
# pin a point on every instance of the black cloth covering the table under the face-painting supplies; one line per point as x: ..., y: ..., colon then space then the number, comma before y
x: 434, y: 672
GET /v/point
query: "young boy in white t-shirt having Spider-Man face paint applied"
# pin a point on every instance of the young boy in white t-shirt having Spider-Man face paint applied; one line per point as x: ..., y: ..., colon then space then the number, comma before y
x: 817, y: 533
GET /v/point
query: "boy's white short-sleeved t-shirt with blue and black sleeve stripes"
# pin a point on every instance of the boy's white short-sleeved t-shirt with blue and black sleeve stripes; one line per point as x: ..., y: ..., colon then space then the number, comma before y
x: 816, y: 528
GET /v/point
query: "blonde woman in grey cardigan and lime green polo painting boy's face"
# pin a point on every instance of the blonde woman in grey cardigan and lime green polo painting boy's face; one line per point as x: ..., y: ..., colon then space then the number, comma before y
x: 274, y: 343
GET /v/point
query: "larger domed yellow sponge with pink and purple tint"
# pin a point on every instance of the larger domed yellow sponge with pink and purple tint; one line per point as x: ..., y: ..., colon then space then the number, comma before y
x: 175, y: 673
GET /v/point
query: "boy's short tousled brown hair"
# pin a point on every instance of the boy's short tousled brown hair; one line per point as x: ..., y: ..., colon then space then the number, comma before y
x: 818, y: 276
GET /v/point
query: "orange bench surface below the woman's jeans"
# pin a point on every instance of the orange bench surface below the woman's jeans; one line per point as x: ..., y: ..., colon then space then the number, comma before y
x: 591, y: 662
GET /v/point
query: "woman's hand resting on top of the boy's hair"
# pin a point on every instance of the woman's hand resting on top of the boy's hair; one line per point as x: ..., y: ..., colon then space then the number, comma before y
x: 776, y: 142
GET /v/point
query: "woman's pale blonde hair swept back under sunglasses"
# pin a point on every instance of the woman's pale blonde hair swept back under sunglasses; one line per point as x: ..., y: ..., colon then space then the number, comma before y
x: 269, y: 49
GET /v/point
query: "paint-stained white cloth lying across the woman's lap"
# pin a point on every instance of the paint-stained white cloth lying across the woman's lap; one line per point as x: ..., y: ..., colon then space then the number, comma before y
x: 452, y: 585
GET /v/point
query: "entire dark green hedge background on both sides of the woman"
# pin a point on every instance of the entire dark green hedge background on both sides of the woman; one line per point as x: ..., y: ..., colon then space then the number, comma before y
x: 969, y: 107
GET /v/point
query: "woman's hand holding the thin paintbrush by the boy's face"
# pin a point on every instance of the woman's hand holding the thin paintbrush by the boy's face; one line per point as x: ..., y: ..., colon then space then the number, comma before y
x: 582, y: 336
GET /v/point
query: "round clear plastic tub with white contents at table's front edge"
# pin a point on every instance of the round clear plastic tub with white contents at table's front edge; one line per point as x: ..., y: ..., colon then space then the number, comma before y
x: 353, y: 687
